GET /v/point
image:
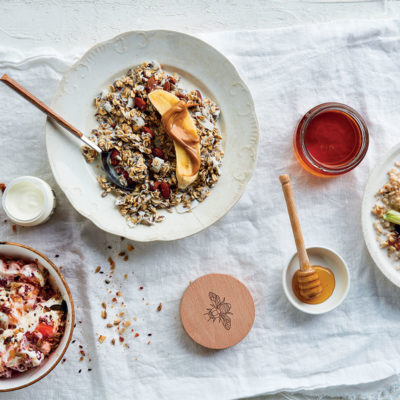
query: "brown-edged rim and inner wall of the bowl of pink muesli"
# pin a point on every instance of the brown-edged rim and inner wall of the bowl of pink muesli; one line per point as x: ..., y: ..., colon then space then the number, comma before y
x: 23, y: 379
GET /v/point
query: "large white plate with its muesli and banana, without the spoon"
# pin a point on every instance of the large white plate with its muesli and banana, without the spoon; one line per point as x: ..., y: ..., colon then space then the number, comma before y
x: 178, y: 125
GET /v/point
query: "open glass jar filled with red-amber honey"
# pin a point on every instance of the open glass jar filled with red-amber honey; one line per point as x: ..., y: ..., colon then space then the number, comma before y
x: 331, y: 139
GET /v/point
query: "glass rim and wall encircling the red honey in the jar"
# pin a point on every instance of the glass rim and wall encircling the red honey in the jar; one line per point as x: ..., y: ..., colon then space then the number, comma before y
x: 311, y: 114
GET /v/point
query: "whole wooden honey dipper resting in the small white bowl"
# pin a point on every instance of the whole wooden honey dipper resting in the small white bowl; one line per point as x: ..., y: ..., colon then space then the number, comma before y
x: 308, y: 279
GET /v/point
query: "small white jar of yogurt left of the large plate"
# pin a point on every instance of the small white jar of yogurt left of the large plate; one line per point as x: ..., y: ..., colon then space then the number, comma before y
x: 28, y: 201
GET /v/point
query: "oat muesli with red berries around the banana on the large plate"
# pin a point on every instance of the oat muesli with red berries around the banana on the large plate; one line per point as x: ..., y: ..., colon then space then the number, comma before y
x: 143, y: 154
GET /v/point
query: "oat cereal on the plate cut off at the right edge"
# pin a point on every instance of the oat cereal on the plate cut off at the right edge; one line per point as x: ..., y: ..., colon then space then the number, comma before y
x: 388, y: 198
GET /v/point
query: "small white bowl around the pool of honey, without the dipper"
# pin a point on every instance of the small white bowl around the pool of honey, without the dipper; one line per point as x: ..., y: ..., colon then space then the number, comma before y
x: 326, y: 258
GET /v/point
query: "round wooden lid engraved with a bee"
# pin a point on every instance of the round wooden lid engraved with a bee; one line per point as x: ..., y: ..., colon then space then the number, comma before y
x: 217, y: 311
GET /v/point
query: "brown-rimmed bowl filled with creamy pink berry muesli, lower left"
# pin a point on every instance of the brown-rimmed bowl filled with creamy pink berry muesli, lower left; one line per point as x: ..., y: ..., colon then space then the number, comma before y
x: 36, y: 316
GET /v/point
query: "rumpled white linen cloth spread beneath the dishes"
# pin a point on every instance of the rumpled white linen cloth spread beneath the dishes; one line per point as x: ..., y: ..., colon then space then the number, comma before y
x: 288, y: 72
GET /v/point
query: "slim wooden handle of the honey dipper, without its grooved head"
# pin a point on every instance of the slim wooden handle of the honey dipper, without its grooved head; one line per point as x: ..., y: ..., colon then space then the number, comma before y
x: 294, y: 220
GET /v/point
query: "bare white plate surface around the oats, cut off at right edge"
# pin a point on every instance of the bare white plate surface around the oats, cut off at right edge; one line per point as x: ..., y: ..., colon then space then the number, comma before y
x: 376, y: 180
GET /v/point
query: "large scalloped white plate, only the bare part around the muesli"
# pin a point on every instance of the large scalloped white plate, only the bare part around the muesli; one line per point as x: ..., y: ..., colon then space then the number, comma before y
x: 201, y: 66
